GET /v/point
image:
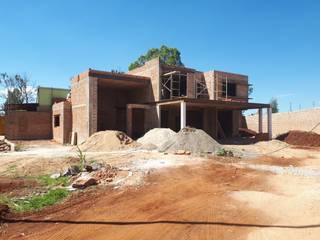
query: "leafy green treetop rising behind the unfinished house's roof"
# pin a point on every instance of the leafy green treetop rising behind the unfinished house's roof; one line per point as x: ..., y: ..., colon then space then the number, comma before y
x: 167, y: 55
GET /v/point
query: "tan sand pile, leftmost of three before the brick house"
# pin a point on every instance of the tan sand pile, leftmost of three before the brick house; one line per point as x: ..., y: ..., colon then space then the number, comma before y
x: 108, y: 141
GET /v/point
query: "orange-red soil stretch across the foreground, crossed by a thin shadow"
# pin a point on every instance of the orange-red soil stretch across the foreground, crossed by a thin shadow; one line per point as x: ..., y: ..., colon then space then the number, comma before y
x: 184, y: 203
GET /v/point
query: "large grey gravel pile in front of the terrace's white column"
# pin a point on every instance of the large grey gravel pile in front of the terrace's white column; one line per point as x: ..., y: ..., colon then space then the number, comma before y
x: 192, y: 140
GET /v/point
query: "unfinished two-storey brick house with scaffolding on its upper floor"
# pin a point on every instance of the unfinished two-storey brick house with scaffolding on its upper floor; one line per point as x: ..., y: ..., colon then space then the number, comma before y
x: 154, y: 95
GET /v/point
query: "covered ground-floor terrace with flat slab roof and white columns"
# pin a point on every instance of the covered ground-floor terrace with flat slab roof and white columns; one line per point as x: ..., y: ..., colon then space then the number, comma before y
x: 220, y: 119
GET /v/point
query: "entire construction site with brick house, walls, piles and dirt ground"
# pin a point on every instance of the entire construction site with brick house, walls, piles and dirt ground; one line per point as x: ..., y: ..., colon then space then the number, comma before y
x: 161, y: 152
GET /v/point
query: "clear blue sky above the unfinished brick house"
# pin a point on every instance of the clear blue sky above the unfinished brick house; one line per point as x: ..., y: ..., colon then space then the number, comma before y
x: 277, y: 43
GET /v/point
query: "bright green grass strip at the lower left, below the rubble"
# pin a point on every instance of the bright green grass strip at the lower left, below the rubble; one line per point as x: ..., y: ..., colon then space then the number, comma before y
x: 35, y: 203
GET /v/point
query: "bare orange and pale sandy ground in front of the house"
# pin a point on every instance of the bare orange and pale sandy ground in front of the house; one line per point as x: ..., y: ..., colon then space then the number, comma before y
x: 273, y: 196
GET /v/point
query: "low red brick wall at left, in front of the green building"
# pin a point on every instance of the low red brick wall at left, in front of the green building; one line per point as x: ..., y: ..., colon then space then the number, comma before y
x: 23, y: 125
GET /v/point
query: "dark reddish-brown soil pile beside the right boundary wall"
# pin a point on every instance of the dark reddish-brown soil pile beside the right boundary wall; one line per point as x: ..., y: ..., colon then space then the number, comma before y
x: 300, y: 138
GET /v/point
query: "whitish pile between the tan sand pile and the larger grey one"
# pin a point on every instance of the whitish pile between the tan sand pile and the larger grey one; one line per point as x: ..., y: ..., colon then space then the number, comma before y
x: 156, y: 136
